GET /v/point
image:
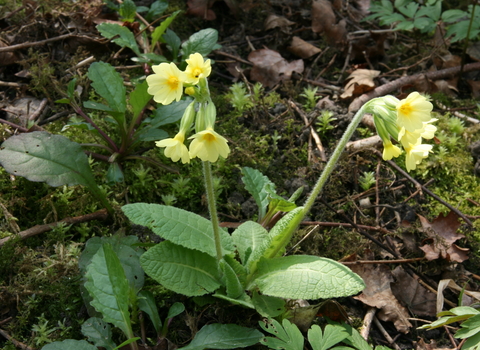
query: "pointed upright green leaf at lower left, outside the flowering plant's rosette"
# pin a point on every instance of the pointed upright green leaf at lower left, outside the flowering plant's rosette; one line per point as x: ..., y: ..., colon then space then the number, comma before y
x: 108, y: 286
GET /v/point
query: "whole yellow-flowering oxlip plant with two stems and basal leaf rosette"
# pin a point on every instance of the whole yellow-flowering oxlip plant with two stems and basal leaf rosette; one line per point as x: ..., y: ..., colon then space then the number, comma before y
x: 248, y: 267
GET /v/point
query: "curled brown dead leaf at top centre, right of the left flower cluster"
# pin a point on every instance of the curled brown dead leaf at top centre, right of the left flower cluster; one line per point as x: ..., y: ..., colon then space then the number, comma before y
x: 269, y: 67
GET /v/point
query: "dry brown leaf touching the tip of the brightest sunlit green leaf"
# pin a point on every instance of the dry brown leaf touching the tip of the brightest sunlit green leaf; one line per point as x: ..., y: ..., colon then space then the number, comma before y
x: 378, y: 293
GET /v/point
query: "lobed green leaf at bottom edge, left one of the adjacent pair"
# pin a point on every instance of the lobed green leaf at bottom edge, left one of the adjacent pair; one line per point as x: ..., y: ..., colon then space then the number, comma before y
x: 288, y: 336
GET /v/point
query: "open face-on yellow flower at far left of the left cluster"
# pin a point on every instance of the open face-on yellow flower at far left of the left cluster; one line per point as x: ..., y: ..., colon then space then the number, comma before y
x: 166, y: 84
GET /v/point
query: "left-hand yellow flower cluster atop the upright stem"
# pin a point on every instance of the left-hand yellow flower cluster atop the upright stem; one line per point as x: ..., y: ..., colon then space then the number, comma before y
x: 166, y: 85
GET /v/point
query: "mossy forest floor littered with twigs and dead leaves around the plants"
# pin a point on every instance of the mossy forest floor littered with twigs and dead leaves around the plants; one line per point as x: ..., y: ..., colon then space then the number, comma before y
x: 397, y: 221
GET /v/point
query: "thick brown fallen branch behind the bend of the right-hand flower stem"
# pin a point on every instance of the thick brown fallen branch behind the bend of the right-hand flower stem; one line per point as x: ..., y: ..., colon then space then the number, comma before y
x: 393, y: 85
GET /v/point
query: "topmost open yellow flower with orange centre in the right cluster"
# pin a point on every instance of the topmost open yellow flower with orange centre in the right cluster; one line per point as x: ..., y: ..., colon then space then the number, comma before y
x: 413, y: 111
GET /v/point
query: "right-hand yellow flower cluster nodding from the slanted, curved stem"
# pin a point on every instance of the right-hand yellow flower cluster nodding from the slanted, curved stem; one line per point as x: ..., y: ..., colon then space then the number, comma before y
x: 408, y: 121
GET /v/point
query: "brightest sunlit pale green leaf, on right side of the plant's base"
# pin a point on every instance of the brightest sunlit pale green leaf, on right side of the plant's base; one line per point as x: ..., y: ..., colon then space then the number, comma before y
x: 306, y: 277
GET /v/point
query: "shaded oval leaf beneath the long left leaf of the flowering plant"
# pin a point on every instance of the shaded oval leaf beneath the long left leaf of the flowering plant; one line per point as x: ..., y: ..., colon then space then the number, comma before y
x: 166, y: 262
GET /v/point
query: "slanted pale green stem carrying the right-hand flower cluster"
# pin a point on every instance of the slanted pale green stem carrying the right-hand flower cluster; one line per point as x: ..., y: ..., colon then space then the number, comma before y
x: 334, y: 159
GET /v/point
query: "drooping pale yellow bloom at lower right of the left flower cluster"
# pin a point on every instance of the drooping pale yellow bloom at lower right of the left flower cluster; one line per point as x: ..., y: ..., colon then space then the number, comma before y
x: 208, y: 145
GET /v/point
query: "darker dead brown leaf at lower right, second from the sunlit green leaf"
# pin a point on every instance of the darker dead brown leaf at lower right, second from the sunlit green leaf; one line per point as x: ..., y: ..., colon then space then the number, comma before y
x: 420, y: 300
